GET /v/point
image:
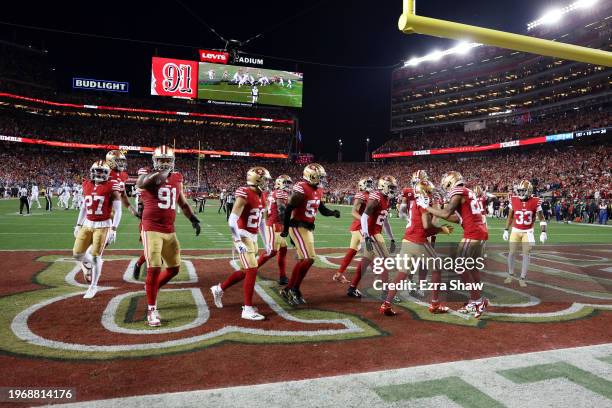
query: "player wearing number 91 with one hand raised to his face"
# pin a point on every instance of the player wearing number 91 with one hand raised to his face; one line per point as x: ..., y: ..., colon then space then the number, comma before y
x: 162, y: 190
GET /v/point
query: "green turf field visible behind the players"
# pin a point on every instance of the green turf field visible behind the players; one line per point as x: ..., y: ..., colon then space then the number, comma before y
x: 54, y: 230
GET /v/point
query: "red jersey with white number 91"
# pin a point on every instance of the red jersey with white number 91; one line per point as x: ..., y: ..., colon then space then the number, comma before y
x: 160, y: 204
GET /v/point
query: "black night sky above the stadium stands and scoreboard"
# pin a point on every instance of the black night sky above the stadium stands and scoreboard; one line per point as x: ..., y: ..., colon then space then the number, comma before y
x: 351, y: 104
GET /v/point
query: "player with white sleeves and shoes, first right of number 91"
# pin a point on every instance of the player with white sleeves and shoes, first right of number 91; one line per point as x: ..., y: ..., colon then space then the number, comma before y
x: 245, y: 221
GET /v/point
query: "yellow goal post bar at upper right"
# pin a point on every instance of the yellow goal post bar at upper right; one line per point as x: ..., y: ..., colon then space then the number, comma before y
x: 410, y: 23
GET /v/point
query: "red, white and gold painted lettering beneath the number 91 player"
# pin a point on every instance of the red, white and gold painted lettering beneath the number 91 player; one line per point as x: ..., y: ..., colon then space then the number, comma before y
x: 55, y: 321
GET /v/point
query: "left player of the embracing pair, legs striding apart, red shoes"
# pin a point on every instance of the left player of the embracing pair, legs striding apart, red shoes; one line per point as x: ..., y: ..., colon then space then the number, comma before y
x: 416, y: 244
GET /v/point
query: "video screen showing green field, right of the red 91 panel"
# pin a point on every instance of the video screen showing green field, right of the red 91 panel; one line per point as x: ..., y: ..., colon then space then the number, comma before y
x: 250, y: 85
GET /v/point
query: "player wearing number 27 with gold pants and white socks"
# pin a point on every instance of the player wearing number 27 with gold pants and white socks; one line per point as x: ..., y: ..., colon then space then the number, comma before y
x: 96, y: 226
